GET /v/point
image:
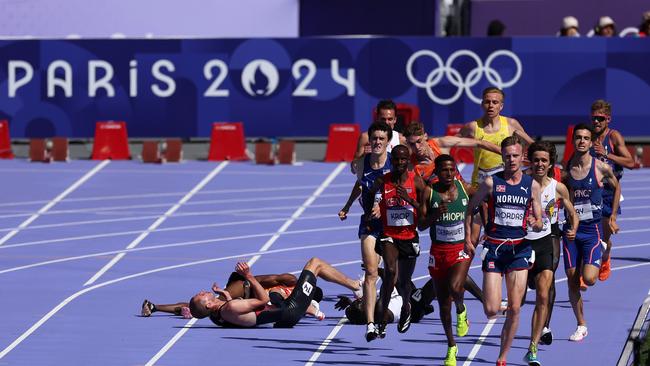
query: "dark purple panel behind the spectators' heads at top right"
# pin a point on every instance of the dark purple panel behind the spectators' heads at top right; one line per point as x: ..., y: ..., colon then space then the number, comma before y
x: 544, y: 17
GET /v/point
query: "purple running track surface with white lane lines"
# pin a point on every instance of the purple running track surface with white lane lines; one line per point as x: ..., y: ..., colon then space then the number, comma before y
x: 81, y: 248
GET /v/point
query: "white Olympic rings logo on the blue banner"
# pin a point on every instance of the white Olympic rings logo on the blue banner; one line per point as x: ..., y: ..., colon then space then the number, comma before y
x: 472, y: 78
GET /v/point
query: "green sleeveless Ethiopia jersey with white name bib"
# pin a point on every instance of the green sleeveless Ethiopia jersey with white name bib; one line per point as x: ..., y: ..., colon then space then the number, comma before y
x: 450, y: 226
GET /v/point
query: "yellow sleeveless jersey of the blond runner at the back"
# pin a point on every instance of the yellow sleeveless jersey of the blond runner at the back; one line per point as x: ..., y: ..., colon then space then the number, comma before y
x: 486, y: 162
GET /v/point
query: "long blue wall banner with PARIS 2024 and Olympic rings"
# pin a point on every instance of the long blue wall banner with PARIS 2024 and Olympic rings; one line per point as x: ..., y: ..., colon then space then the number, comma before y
x: 298, y: 87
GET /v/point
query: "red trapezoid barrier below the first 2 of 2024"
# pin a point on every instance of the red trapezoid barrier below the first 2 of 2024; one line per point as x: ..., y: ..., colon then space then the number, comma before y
x: 227, y: 142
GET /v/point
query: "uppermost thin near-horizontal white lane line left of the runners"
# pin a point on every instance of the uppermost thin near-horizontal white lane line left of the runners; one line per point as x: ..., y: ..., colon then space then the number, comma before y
x: 173, y: 194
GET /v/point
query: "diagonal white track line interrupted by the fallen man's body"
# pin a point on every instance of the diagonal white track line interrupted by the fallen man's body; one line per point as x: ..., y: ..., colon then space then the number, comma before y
x: 264, y: 248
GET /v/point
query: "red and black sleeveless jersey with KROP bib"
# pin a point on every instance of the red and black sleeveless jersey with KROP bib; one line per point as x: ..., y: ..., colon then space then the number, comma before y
x: 398, y: 216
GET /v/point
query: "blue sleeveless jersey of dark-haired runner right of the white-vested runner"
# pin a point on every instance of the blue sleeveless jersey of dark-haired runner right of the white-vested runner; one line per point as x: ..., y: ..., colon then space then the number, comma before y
x: 587, y: 196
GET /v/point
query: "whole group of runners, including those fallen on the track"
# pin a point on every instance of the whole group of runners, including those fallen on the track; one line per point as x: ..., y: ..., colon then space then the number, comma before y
x: 407, y: 182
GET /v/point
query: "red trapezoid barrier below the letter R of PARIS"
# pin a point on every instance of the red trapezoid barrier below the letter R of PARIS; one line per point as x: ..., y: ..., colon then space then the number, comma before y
x: 111, y: 141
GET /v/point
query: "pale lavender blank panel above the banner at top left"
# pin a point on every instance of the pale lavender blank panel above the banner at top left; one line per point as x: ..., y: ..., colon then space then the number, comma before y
x: 149, y: 18
